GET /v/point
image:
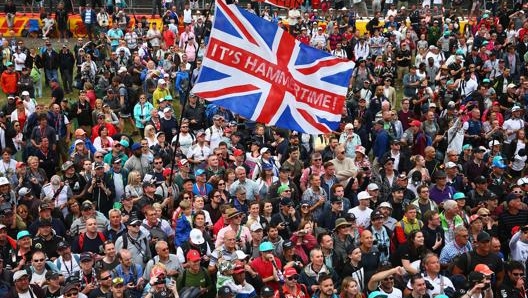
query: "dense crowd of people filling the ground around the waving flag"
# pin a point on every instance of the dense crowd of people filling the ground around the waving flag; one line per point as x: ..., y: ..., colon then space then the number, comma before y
x: 421, y: 191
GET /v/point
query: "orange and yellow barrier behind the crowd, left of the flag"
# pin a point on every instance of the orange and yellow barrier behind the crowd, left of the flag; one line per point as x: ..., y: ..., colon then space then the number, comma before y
x: 75, y: 24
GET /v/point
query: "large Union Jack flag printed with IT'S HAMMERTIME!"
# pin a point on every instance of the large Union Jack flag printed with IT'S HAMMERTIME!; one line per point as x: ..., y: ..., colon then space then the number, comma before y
x: 259, y: 71
